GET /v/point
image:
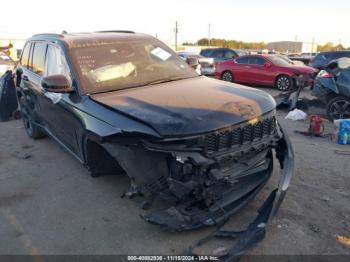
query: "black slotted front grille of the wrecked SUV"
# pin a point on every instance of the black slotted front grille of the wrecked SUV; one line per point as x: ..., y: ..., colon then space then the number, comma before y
x: 226, y: 139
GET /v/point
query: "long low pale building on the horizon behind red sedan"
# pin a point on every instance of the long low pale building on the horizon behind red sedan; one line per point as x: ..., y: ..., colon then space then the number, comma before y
x: 293, y: 47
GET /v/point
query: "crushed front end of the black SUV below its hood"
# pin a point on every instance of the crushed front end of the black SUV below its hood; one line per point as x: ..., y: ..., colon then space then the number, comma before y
x: 208, y: 177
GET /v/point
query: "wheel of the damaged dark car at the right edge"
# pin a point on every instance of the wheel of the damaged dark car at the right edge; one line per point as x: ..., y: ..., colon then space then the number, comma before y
x: 338, y: 108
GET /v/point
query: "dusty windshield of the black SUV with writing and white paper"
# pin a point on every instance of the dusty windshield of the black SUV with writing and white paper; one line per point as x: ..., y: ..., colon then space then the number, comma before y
x: 119, y: 64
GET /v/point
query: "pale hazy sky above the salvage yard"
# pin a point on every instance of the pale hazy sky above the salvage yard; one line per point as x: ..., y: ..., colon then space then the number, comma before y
x: 248, y: 20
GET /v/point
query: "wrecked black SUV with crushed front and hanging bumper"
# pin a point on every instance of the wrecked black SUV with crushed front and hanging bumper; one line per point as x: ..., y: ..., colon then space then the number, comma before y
x: 124, y: 102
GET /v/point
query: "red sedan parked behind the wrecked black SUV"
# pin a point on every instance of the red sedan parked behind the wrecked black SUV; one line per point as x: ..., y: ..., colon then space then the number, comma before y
x: 269, y: 70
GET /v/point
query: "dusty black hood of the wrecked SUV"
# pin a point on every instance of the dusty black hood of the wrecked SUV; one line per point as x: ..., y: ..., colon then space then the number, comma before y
x: 189, y: 106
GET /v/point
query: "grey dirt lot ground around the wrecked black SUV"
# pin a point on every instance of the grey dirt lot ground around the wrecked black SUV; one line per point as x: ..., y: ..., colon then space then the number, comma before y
x: 50, y: 205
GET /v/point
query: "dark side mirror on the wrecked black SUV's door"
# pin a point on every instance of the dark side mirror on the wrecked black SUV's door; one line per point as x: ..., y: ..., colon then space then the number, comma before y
x: 56, y: 84
